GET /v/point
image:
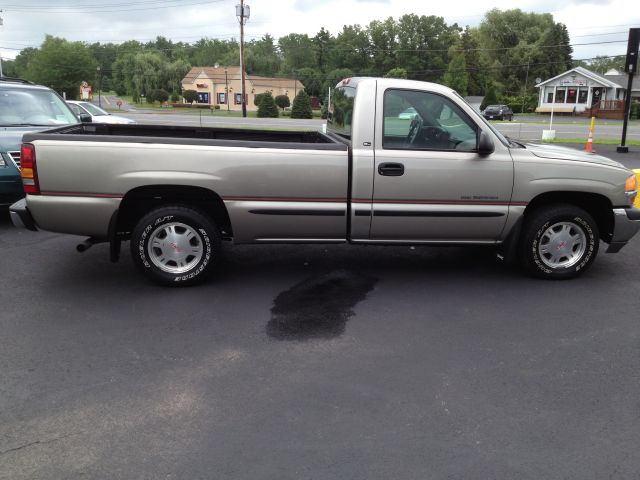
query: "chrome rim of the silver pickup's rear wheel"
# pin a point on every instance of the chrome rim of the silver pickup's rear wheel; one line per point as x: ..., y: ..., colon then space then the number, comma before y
x: 175, y: 247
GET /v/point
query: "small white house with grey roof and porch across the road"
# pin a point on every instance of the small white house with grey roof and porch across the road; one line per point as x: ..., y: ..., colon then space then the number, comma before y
x: 583, y: 92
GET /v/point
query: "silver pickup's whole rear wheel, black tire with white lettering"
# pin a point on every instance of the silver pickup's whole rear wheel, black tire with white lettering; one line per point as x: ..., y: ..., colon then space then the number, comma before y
x: 175, y: 245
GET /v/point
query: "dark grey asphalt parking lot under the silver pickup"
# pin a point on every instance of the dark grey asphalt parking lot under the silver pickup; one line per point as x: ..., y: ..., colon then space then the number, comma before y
x: 316, y: 362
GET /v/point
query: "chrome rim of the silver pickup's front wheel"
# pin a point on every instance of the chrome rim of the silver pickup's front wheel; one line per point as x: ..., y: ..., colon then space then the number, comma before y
x: 562, y: 245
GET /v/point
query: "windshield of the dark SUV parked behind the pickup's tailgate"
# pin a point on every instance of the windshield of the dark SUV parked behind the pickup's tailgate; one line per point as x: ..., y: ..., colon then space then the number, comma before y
x: 22, y: 106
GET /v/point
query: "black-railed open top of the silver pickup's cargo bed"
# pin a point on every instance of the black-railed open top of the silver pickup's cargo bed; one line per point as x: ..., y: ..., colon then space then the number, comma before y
x: 171, y: 134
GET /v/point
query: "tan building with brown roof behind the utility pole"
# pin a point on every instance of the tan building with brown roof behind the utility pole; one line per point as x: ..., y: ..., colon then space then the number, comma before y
x: 222, y: 86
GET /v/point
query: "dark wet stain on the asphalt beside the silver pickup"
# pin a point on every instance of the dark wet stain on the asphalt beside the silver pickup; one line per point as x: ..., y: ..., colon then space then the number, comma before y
x: 318, y: 307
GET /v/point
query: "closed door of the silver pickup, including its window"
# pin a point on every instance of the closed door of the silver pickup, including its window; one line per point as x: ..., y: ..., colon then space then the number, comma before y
x: 430, y: 184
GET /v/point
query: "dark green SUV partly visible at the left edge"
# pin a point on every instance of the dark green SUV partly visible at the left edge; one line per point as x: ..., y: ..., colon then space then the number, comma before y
x: 24, y: 107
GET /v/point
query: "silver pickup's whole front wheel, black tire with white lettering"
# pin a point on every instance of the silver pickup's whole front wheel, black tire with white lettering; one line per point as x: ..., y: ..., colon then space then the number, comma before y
x: 559, y: 242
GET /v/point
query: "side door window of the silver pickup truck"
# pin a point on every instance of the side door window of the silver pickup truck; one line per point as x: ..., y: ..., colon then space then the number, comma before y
x: 417, y: 120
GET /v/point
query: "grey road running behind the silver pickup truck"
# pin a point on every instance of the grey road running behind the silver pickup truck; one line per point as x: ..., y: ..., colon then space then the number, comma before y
x: 522, y: 128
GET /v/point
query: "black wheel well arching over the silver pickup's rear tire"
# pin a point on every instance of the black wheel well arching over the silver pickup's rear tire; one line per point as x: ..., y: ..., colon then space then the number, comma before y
x: 137, y: 202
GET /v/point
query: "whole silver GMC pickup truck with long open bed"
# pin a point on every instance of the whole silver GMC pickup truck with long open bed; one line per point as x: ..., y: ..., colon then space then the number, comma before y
x: 402, y: 162
